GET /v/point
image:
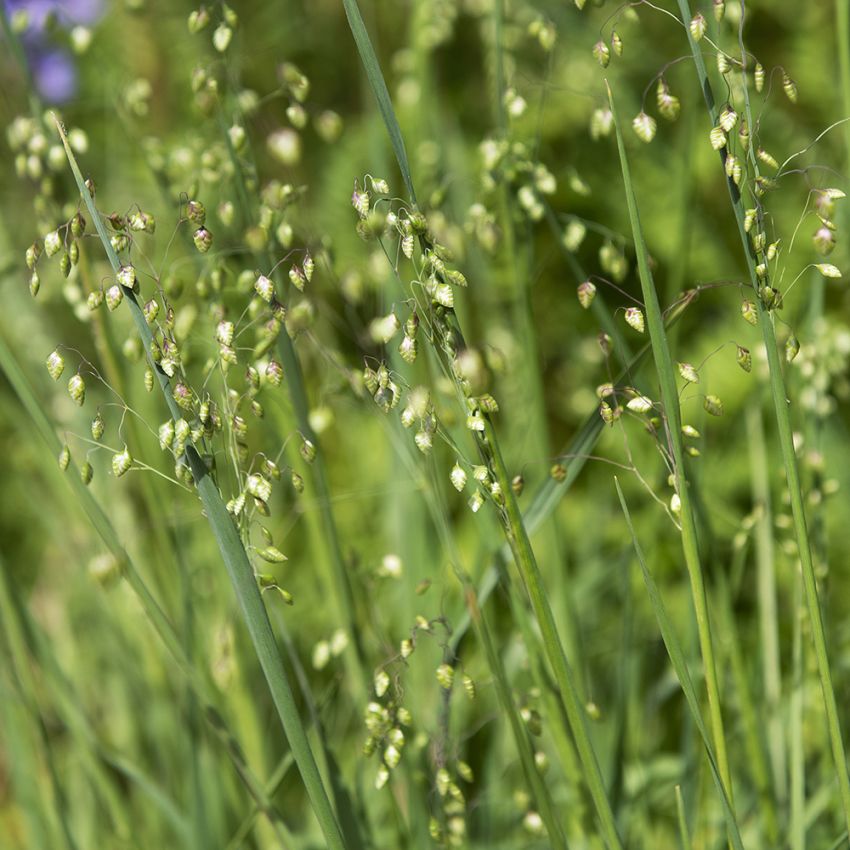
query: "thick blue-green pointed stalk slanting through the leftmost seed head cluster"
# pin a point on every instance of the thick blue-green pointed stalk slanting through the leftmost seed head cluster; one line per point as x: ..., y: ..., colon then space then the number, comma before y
x: 236, y: 561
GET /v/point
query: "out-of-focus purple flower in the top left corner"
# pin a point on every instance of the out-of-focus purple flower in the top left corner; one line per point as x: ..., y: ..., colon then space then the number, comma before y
x: 53, y: 69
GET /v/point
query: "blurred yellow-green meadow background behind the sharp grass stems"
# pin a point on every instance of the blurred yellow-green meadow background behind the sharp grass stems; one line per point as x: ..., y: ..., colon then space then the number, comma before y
x: 102, y: 743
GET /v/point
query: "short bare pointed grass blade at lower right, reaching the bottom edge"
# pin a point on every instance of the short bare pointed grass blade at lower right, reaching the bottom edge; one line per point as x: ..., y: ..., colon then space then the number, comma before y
x: 680, y: 666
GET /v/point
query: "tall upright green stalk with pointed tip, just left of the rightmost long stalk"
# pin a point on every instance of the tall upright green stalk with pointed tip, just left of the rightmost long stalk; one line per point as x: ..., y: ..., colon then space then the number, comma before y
x: 670, y: 400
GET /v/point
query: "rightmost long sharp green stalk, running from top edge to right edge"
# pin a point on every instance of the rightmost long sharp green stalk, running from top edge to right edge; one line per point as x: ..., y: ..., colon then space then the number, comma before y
x: 786, y: 441
